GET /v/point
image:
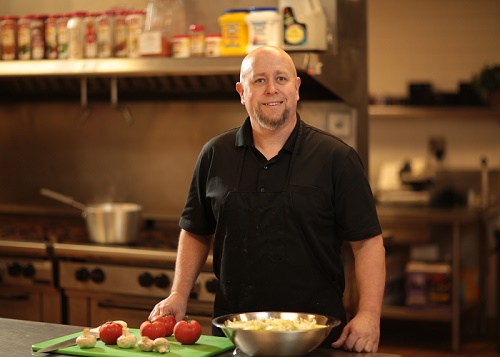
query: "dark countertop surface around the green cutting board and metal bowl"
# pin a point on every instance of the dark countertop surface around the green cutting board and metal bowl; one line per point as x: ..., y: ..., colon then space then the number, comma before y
x: 17, y: 336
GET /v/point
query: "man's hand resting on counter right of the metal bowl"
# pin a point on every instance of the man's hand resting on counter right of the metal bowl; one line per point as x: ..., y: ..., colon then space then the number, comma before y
x: 361, y: 334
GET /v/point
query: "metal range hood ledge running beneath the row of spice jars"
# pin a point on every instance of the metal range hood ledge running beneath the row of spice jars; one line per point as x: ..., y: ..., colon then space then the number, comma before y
x: 151, y: 78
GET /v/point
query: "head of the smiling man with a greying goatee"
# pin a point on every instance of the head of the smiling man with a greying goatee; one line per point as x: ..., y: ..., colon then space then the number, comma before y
x: 269, y: 87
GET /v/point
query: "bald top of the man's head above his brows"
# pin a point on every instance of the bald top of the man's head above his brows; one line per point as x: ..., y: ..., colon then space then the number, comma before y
x: 268, y: 54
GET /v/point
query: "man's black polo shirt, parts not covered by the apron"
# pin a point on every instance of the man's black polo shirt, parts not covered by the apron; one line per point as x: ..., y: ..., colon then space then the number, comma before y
x: 331, y: 194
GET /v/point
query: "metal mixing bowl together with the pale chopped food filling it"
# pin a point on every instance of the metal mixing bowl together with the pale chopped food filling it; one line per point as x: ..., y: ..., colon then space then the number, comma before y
x: 276, y: 333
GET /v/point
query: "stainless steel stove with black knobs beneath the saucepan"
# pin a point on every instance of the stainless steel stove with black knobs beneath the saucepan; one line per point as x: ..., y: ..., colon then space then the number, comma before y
x: 99, y: 282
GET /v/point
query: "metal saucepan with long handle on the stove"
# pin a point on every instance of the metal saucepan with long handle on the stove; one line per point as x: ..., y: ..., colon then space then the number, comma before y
x: 107, y: 223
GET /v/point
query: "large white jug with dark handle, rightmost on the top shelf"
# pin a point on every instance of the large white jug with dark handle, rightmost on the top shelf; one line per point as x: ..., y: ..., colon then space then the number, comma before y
x: 304, y: 25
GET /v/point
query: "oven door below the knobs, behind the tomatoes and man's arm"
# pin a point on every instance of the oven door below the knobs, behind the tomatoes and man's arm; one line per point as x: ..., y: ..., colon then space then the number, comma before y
x: 92, y: 309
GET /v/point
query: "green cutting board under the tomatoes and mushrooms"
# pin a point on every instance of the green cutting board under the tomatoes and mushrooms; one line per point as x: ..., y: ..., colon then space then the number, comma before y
x: 206, y: 346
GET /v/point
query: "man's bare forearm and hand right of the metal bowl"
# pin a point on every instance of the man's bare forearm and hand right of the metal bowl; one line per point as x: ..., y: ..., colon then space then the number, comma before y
x: 362, y: 333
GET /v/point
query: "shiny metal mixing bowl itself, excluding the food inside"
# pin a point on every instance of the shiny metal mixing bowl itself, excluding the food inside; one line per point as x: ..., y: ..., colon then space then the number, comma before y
x: 276, y: 343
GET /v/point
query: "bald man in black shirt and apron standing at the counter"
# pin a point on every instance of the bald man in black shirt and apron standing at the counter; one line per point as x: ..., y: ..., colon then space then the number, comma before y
x: 279, y: 197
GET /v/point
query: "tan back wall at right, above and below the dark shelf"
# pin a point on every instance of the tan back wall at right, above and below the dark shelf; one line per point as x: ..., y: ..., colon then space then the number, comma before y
x: 444, y: 42
